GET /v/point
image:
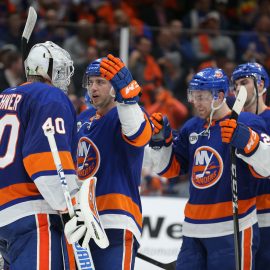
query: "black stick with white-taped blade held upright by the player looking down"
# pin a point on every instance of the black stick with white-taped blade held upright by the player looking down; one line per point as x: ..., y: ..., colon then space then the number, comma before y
x: 237, y: 108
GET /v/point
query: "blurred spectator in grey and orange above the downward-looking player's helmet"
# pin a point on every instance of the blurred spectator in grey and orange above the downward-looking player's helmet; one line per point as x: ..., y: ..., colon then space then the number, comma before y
x: 212, y: 42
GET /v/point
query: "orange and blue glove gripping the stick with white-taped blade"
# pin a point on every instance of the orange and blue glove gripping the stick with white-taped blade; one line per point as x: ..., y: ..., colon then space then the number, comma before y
x: 240, y: 136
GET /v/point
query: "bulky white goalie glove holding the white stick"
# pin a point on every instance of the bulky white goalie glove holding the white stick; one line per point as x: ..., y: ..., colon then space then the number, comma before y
x: 86, y: 223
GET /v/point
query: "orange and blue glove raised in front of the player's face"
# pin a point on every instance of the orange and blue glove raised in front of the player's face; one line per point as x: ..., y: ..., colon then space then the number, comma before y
x: 127, y: 90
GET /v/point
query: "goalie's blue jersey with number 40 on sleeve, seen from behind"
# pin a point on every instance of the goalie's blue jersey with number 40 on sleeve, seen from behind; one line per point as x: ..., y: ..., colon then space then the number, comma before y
x: 29, y: 181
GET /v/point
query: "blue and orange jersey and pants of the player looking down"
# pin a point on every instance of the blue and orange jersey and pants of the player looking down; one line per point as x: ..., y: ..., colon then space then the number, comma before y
x: 208, y: 225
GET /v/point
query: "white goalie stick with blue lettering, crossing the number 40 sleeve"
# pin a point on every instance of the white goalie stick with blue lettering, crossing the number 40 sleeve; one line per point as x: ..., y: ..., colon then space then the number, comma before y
x: 83, y: 256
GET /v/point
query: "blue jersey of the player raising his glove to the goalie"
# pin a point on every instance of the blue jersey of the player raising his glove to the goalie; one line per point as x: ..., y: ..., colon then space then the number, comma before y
x: 116, y: 161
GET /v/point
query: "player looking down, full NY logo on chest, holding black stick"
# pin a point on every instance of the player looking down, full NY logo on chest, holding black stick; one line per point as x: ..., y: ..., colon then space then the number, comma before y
x: 208, y: 241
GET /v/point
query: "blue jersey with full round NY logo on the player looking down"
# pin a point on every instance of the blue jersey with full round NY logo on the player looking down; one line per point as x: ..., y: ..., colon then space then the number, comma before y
x: 208, y: 212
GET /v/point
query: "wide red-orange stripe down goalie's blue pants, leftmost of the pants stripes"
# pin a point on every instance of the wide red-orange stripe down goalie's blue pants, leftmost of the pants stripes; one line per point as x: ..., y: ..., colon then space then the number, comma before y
x: 44, y: 242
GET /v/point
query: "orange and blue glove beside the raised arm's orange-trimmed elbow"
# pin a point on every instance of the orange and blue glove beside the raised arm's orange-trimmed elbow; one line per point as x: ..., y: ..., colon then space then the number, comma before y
x: 162, y: 131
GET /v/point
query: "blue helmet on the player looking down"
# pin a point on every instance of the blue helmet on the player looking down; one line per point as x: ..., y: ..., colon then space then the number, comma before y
x: 209, y: 79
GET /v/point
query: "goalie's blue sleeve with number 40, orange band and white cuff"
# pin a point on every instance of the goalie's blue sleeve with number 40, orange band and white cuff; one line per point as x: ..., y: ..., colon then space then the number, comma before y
x: 37, y: 157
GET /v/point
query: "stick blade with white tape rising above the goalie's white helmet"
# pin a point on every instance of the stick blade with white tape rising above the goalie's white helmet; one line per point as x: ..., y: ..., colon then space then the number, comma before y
x: 28, y: 29
